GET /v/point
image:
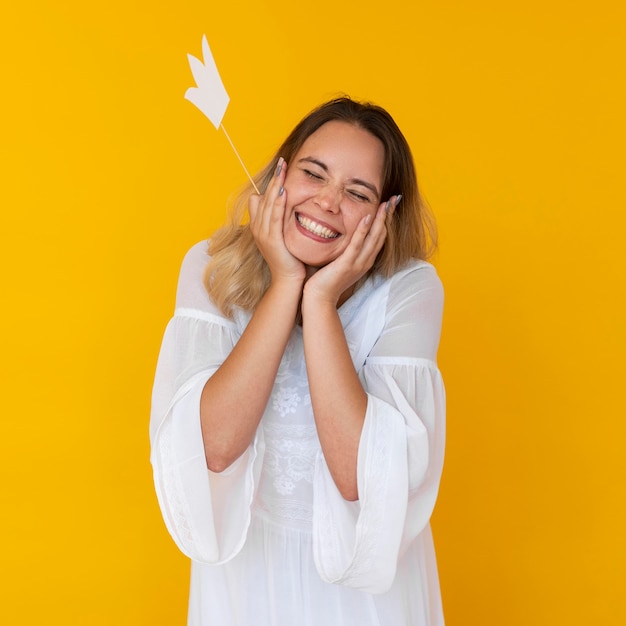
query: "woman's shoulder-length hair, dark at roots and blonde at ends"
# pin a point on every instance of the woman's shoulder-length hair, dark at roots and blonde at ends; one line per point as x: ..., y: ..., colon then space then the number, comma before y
x: 238, y: 276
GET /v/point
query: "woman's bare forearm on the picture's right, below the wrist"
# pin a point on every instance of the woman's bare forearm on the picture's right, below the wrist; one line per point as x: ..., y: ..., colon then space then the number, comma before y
x: 337, y: 396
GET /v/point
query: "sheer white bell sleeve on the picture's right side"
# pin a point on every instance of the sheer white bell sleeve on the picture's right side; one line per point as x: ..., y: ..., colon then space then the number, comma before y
x: 401, y: 450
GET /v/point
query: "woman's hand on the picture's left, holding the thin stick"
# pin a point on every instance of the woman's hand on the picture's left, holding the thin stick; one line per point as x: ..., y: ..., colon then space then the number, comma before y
x: 267, y: 223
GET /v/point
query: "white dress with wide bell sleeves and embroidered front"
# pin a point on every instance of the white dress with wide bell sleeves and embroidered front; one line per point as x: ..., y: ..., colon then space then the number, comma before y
x: 272, y: 541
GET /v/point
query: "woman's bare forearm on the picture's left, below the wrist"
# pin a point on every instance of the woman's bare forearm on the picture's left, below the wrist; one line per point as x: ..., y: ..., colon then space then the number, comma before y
x: 234, y: 398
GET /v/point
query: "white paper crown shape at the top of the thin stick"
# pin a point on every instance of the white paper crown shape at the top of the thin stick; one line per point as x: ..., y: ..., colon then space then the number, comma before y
x: 209, y: 95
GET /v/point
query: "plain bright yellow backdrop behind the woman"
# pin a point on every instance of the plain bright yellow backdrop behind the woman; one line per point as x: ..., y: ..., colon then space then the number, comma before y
x: 515, y: 112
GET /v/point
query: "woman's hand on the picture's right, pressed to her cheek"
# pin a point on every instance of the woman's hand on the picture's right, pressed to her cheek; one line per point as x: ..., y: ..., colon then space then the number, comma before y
x: 330, y: 282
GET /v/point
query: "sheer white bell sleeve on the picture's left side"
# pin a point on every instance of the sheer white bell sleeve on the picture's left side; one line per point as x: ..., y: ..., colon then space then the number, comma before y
x: 206, y: 513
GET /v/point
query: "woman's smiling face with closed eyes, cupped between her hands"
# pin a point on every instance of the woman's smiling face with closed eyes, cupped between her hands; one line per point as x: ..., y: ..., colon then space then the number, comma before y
x: 332, y: 183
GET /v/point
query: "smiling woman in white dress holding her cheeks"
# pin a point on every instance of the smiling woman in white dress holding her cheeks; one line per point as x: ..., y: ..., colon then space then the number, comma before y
x: 298, y: 411
